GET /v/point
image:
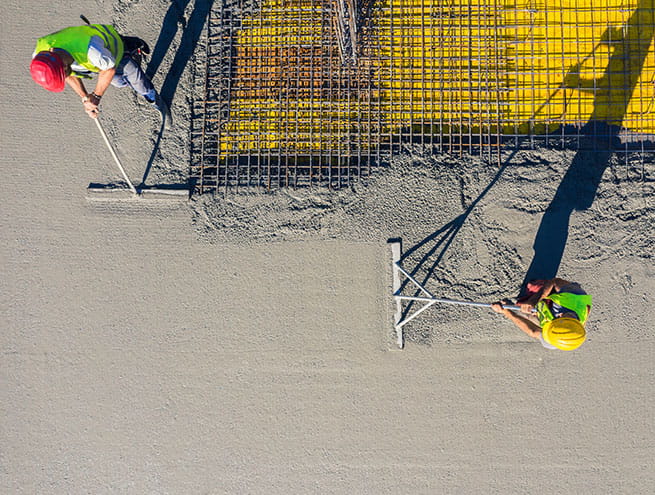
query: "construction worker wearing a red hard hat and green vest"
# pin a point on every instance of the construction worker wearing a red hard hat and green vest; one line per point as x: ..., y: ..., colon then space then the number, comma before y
x: 76, y: 53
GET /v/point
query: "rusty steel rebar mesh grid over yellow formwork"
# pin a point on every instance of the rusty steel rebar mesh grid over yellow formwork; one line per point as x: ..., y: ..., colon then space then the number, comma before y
x: 297, y: 92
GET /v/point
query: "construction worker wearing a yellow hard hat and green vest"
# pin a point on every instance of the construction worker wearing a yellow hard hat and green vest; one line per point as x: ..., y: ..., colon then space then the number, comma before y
x: 554, y: 312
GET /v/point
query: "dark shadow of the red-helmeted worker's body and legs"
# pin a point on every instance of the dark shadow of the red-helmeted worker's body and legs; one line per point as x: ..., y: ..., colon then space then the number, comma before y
x: 192, y: 29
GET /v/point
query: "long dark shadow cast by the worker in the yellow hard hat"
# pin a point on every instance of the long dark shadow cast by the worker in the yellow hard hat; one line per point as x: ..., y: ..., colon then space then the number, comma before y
x: 599, y: 136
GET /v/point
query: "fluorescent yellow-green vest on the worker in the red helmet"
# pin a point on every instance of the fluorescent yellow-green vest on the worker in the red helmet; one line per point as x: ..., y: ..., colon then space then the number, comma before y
x: 75, y: 40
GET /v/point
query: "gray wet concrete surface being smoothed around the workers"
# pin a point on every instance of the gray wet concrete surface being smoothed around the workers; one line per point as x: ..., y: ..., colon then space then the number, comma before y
x: 244, y: 345
